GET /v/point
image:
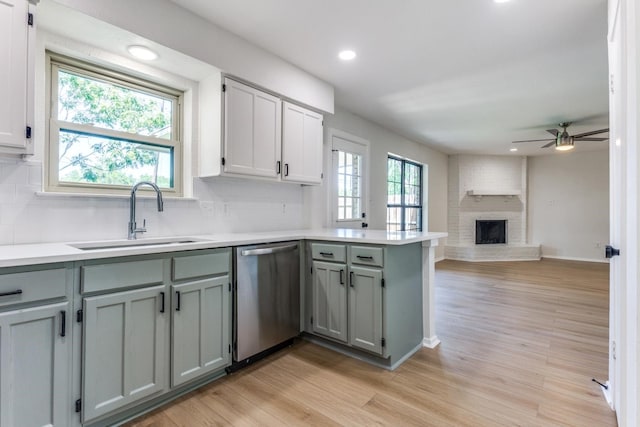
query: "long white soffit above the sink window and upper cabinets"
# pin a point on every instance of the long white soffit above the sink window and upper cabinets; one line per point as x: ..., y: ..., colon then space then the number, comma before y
x: 164, y: 22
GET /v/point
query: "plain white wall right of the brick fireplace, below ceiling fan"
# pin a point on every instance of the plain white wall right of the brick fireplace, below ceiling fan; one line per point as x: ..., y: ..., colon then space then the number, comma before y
x: 569, y: 204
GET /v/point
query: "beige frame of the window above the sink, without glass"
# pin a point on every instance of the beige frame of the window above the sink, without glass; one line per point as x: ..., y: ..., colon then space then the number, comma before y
x: 56, y: 62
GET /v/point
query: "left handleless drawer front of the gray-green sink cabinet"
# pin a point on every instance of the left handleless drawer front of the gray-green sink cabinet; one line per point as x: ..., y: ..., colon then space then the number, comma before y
x: 103, y: 277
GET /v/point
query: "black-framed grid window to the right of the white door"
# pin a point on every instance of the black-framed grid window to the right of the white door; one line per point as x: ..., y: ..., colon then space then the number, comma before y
x: 404, y: 195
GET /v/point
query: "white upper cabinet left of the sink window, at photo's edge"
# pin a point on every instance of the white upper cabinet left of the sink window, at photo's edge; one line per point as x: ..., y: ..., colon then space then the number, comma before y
x: 16, y: 77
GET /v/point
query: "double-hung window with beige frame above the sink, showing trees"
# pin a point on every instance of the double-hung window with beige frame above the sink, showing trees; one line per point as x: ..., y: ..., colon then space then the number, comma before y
x: 109, y: 130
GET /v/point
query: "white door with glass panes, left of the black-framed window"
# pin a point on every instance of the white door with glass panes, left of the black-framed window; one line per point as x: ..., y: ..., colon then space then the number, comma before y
x: 349, y: 180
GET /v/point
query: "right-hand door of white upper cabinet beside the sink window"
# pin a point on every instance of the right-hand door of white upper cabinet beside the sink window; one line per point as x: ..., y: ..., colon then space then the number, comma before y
x: 301, y: 145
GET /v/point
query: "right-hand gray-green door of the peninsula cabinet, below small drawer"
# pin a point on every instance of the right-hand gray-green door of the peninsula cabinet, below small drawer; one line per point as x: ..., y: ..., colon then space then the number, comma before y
x: 365, y: 309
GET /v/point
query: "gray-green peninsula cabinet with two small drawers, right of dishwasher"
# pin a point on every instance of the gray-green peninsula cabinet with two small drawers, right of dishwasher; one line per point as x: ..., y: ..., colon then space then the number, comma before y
x: 375, y: 306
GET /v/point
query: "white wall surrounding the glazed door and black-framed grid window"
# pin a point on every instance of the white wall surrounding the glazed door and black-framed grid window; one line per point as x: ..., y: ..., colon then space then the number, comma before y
x: 382, y: 143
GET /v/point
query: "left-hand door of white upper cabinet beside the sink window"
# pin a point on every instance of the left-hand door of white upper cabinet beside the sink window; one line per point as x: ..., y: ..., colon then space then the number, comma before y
x: 252, y: 131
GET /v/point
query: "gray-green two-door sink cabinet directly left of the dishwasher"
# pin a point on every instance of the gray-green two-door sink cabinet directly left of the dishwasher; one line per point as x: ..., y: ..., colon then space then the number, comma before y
x: 150, y: 325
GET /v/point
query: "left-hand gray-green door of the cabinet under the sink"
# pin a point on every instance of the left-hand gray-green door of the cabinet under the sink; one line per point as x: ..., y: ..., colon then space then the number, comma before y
x: 124, y: 348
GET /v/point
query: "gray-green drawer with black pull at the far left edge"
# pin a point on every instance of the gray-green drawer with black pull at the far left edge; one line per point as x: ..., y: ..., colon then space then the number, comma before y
x: 30, y: 286
